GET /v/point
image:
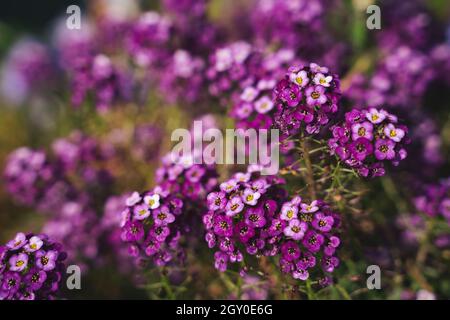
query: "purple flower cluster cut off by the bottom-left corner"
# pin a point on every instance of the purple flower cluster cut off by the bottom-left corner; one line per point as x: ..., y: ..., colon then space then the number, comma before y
x: 31, y: 267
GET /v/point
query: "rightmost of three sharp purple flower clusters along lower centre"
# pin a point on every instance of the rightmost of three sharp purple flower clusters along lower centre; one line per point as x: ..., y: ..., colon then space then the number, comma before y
x: 309, y: 238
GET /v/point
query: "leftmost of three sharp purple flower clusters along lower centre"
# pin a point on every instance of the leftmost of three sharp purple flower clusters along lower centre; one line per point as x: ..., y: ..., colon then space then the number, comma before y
x: 152, y: 226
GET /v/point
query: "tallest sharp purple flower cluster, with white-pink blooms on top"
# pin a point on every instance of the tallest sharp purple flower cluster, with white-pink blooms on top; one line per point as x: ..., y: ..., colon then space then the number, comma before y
x: 305, y: 99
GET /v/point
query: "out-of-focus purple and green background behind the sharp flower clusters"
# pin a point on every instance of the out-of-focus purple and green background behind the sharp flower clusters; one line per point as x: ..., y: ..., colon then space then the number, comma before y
x: 402, y: 221
